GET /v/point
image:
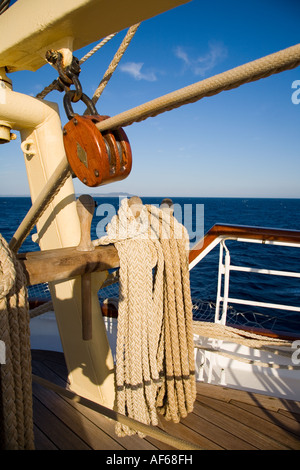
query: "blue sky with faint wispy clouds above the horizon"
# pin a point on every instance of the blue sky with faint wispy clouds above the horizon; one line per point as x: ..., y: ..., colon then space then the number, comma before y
x: 240, y: 143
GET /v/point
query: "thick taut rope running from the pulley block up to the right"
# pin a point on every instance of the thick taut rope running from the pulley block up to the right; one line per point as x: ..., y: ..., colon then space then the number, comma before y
x: 283, y: 60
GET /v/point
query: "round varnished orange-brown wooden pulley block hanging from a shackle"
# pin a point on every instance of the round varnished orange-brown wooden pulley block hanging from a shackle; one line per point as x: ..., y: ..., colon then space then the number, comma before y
x: 96, y: 158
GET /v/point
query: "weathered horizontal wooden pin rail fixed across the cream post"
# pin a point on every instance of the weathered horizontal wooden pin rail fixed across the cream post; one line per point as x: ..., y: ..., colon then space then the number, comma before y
x: 65, y: 263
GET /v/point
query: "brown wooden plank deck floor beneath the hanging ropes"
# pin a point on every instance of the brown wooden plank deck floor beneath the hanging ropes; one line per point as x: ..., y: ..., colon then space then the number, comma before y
x: 222, y: 419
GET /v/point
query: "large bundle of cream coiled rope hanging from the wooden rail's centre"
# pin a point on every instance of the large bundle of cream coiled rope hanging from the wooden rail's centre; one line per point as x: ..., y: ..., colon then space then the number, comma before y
x: 155, y: 369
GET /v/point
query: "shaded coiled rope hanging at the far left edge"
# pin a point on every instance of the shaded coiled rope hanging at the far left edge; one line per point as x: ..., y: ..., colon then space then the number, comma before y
x: 16, y: 431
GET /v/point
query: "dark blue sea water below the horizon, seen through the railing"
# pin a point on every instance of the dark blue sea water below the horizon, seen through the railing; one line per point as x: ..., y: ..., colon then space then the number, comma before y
x: 201, y: 214
